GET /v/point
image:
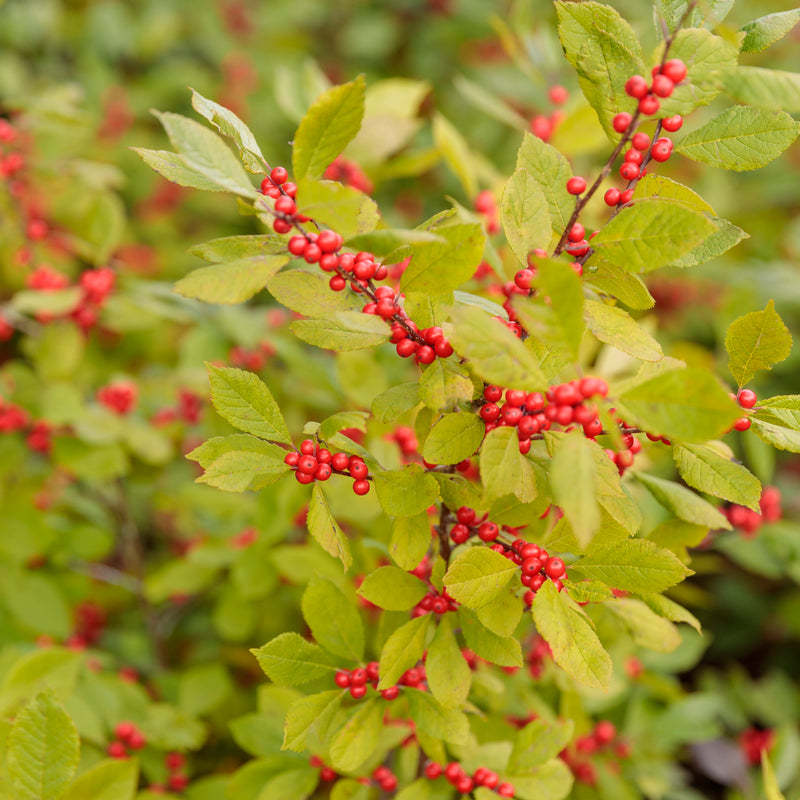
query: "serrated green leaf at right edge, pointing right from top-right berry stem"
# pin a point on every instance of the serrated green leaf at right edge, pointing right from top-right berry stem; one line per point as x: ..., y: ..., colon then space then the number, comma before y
x: 741, y: 138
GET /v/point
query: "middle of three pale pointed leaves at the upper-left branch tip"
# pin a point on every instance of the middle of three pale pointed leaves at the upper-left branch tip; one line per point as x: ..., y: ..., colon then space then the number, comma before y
x: 206, y: 153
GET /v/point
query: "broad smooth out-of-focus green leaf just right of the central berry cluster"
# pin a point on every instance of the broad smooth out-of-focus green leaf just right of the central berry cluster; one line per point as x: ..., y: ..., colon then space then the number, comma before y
x: 685, y: 404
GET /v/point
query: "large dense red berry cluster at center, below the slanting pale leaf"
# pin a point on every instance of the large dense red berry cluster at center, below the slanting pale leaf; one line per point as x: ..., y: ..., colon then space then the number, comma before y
x: 532, y: 412
